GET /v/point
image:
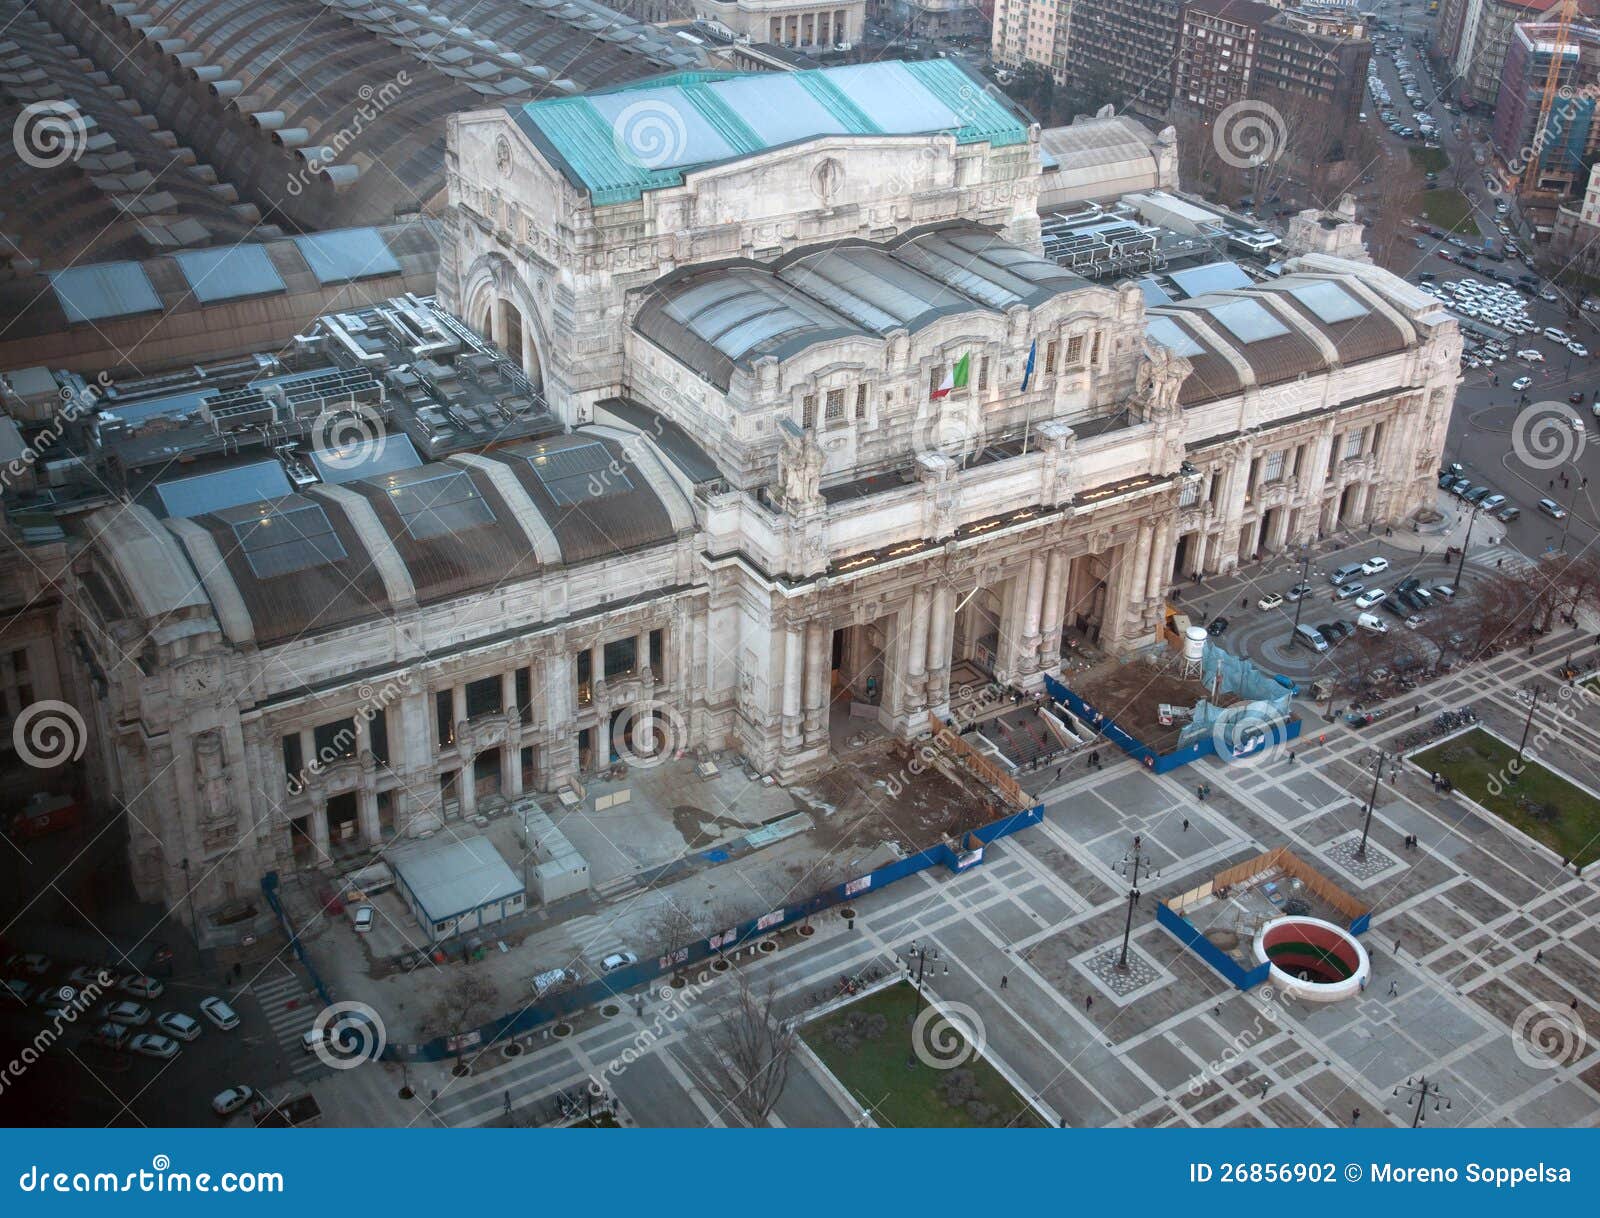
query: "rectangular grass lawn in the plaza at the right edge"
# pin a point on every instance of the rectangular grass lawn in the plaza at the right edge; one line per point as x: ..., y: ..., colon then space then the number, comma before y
x: 1479, y: 766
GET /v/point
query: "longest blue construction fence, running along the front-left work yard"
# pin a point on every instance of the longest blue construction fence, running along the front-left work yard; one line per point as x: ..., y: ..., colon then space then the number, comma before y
x: 554, y: 1008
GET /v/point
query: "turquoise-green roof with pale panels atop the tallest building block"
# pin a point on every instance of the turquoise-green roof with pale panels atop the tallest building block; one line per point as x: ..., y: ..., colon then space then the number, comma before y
x: 644, y: 137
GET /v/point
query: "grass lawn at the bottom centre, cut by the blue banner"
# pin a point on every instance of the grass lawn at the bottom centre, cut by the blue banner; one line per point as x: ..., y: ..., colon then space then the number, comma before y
x: 868, y: 1056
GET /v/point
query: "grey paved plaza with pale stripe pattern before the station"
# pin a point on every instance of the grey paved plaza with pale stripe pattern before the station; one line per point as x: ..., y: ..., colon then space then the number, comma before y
x: 1481, y: 942
